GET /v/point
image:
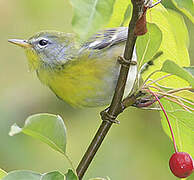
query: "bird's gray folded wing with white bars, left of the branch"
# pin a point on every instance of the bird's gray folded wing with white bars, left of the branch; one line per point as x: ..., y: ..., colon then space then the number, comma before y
x: 106, y: 38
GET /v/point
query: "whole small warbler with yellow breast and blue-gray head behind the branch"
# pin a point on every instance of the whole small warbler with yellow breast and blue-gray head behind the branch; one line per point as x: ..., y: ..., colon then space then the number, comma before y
x: 81, y: 74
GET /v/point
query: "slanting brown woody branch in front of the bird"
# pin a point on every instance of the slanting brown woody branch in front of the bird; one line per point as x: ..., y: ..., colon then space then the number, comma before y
x: 109, y: 116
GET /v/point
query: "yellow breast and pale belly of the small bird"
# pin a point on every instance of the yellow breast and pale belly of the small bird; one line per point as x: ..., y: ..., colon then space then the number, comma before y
x: 83, y: 82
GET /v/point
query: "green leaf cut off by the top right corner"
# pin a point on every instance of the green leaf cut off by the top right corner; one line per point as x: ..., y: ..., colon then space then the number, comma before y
x: 186, y: 6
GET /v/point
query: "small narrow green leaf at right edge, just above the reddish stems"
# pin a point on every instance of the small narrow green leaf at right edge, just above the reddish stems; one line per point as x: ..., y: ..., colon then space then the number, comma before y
x: 172, y: 68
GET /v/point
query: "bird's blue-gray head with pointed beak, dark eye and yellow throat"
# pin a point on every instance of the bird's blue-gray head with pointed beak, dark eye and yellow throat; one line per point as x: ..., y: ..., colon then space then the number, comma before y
x: 47, y: 48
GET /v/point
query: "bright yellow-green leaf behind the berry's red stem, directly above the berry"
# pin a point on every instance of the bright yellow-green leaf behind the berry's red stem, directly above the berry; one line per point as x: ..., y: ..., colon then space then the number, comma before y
x: 182, y: 124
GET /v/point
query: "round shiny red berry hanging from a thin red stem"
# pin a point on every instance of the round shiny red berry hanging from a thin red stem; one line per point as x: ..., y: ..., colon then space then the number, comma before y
x: 181, y: 164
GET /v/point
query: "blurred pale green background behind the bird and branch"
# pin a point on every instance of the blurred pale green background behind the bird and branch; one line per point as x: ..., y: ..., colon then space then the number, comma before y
x: 136, y: 149
